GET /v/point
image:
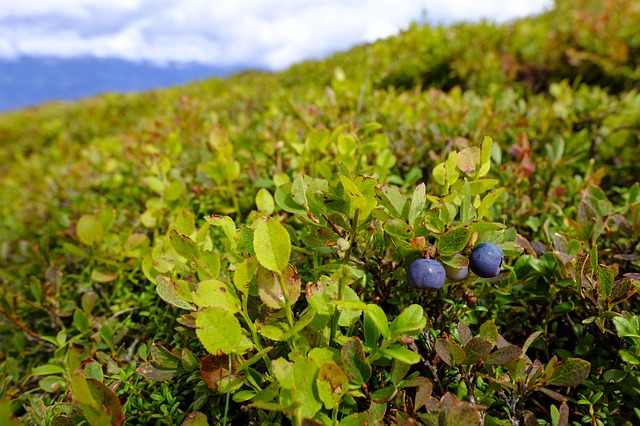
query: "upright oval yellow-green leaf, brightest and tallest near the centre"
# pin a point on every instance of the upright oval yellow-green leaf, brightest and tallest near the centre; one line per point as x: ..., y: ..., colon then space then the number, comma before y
x: 272, y: 244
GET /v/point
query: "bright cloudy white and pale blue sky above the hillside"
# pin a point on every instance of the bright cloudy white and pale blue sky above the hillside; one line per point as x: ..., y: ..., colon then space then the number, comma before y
x: 267, y: 34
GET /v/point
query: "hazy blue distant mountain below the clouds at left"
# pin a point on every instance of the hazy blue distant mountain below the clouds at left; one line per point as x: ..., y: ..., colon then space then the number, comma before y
x: 29, y: 81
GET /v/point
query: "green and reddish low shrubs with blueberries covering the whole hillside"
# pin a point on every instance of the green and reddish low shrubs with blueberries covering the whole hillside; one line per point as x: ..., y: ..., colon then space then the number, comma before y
x: 239, y: 250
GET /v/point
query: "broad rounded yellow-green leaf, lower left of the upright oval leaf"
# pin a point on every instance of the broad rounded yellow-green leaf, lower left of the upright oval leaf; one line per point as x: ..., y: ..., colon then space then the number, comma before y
x: 218, y: 330
